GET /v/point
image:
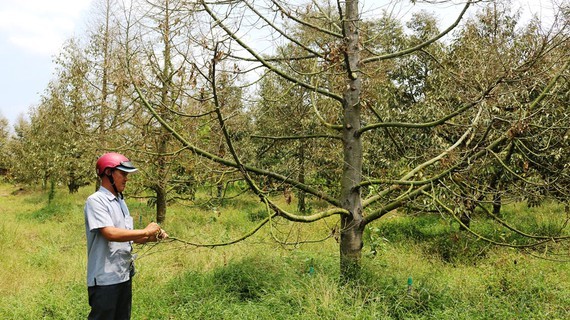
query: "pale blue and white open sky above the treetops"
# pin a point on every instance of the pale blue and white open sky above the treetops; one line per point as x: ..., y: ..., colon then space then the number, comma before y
x: 32, y: 33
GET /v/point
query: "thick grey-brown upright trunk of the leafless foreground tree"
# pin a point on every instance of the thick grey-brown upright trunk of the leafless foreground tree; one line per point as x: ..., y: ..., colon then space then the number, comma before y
x: 351, y: 224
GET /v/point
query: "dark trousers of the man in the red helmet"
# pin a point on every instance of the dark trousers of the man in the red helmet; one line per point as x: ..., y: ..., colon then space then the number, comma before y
x: 111, y: 302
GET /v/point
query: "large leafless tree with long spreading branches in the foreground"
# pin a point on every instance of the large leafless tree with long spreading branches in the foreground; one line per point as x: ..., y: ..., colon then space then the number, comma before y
x: 349, y: 108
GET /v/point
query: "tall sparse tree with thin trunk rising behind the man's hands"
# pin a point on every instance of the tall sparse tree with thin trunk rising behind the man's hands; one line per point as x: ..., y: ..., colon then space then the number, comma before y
x: 158, y: 52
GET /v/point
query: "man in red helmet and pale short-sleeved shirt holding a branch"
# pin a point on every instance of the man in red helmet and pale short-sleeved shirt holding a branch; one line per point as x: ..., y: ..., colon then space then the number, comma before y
x: 110, y: 234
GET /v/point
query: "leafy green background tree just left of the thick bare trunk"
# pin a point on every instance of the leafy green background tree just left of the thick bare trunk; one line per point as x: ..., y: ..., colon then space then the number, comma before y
x: 289, y: 138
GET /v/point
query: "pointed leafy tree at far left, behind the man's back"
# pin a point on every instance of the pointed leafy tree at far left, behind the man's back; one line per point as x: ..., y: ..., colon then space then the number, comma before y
x: 55, y: 146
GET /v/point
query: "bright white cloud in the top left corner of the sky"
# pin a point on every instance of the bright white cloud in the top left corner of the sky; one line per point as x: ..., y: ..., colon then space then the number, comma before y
x: 39, y: 26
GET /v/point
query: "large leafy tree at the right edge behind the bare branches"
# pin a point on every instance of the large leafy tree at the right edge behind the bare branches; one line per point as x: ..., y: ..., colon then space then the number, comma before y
x: 506, y: 49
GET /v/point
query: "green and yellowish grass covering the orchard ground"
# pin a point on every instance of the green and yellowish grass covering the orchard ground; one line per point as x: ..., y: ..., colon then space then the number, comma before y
x: 454, y: 276
